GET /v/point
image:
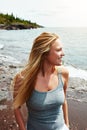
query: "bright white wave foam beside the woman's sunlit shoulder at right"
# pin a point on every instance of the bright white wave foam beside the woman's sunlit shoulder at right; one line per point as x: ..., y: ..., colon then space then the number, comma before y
x: 76, y: 72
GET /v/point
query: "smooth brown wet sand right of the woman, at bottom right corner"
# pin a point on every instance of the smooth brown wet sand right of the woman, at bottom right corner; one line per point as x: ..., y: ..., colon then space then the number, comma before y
x: 77, y: 115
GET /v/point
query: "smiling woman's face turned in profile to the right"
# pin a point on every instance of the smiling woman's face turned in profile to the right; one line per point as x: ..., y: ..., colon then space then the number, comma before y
x: 56, y: 53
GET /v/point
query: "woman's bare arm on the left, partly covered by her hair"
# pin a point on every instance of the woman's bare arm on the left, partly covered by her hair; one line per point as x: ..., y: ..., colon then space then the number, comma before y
x: 17, y: 111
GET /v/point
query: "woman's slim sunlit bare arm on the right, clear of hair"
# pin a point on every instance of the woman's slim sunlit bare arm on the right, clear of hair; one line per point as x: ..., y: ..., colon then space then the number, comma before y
x: 65, y: 105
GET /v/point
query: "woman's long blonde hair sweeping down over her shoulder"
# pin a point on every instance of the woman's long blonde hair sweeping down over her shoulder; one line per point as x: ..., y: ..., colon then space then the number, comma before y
x: 41, y: 46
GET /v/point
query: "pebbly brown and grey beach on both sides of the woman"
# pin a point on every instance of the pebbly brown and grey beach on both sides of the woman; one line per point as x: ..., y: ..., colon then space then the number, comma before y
x: 77, y: 104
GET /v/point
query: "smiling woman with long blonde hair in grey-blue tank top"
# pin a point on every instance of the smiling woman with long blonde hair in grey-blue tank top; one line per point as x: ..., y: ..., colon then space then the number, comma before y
x: 42, y: 85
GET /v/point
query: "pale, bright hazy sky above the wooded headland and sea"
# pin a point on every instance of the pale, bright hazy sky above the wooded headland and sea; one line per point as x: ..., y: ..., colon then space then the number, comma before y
x: 48, y: 13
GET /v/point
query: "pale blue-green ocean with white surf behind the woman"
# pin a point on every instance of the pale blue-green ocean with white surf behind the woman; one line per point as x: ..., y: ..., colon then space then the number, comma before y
x: 15, y: 45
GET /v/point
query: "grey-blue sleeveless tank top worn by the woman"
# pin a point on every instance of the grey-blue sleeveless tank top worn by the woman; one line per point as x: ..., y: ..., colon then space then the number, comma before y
x: 45, y: 109
